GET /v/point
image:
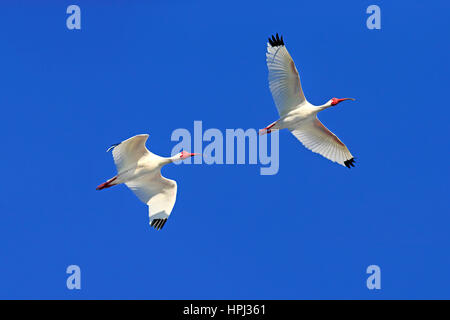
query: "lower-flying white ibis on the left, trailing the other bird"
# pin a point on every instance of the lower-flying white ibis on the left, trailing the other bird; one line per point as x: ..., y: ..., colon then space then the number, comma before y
x: 140, y: 170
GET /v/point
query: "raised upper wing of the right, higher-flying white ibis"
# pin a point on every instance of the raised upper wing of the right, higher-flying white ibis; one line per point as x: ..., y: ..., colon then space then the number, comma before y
x: 284, y: 81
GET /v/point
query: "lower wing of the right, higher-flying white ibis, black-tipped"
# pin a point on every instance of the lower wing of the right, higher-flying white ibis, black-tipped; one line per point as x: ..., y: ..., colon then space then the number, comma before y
x: 317, y: 138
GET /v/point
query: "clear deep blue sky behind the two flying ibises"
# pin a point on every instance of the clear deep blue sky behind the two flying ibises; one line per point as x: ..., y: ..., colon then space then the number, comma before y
x: 308, y: 232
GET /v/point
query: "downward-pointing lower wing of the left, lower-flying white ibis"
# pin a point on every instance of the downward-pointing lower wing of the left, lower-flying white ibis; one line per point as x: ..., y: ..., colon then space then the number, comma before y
x: 158, y: 193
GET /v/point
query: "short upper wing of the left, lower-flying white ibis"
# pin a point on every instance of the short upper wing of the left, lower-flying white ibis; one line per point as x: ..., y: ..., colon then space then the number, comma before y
x: 128, y: 153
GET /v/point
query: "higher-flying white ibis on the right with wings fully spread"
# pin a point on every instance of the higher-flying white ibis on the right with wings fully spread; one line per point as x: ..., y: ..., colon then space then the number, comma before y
x: 297, y: 114
